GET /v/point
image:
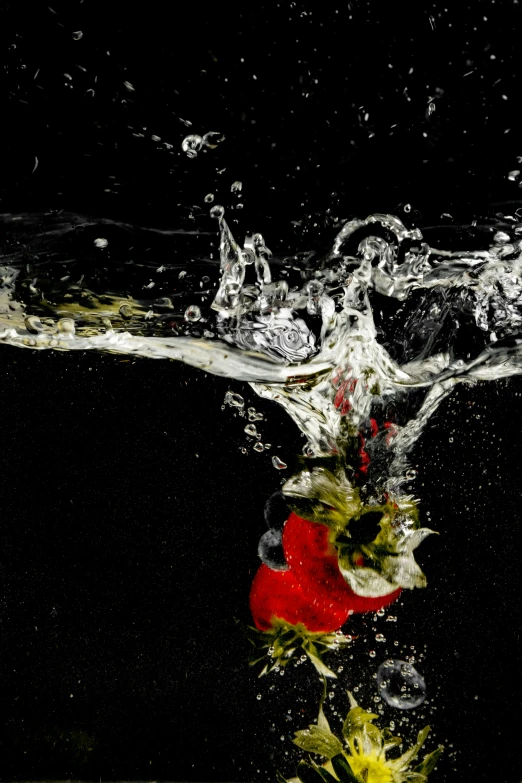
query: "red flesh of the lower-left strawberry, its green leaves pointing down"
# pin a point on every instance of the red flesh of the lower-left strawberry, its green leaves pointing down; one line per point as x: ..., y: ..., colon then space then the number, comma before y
x: 278, y: 594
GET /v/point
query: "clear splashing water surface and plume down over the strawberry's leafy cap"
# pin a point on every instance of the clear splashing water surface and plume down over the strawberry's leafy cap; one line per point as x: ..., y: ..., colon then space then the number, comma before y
x: 359, y: 345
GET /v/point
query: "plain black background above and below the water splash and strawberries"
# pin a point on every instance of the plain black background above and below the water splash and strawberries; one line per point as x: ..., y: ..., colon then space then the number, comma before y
x: 126, y: 559
